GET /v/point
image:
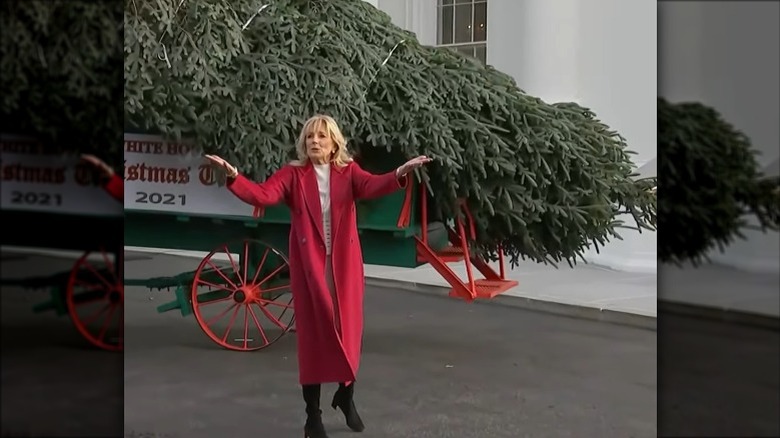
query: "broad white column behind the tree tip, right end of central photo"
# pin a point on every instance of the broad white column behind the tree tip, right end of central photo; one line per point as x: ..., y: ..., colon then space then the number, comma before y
x: 617, y: 58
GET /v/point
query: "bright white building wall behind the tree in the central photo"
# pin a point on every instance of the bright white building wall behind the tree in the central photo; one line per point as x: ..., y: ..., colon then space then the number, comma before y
x: 599, y: 53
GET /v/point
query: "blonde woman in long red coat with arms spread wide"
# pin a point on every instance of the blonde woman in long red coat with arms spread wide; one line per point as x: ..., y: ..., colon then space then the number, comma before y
x: 320, y: 188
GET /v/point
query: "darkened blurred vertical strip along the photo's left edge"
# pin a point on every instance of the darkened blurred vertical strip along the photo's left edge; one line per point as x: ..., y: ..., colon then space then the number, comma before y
x: 61, y: 65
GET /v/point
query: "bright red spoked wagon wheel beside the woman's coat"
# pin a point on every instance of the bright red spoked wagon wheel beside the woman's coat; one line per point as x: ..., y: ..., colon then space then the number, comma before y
x: 249, y: 285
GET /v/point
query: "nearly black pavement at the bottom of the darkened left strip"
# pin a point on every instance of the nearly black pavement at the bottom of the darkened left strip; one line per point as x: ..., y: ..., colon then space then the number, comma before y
x: 53, y: 383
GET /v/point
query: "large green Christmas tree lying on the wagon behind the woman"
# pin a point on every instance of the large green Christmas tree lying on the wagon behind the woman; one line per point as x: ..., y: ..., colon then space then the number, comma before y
x: 545, y: 181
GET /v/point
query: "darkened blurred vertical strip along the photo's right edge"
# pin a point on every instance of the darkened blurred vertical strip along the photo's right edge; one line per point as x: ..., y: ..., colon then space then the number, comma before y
x: 719, y: 321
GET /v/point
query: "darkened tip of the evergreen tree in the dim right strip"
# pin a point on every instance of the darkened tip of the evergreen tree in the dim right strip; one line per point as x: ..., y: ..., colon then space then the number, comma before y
x: 712, y: 183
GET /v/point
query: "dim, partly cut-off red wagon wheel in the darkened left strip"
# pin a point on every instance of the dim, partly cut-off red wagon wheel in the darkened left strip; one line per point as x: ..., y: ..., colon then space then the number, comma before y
x: 95, y: 298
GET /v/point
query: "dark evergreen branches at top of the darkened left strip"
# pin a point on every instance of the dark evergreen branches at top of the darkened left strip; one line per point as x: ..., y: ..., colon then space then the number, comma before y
x: 60, y: 75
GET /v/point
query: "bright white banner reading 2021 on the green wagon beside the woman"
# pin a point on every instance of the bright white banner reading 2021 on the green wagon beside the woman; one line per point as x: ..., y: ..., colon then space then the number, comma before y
x: 174, y: 177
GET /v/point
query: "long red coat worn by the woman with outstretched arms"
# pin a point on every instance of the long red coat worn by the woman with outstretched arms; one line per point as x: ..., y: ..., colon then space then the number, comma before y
x: 323, y: 356
